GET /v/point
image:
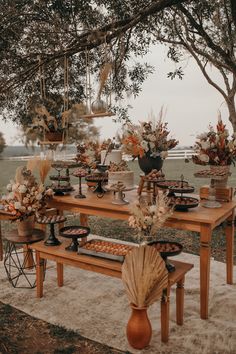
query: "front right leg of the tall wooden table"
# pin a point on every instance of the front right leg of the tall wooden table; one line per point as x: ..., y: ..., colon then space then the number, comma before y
x: 205, y: 257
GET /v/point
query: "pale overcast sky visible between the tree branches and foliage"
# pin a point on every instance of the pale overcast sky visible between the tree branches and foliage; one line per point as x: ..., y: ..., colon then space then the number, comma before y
x: 190, y: 104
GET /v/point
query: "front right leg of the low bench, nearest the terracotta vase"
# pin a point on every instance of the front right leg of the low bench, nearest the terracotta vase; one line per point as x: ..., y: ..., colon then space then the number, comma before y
x: 165, y: 312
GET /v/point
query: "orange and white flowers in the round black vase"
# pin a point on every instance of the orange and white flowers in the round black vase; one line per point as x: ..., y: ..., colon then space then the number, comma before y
x: 148, y: 138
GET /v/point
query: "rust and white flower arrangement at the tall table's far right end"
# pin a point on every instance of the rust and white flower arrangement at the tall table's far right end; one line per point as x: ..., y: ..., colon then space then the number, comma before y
x: 215, y: 147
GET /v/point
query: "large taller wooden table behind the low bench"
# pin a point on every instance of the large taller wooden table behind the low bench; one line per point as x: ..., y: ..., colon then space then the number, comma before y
x: 198, y: 219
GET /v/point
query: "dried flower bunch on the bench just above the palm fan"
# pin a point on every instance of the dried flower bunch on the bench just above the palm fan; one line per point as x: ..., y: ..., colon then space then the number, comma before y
x: 147, y: 217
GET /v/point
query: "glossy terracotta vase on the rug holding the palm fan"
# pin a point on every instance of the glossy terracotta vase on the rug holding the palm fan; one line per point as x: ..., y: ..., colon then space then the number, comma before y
x: 139, y: 329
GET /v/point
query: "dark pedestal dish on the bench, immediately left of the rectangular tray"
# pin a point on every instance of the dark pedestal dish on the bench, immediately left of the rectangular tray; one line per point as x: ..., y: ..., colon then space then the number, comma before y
x: 75, y: 233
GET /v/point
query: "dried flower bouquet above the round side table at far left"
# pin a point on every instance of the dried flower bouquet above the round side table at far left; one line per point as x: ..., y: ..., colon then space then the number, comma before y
x: 26, y: 196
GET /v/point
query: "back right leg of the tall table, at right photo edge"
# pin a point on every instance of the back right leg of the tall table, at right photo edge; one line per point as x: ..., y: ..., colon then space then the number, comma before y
x: 229, y: 233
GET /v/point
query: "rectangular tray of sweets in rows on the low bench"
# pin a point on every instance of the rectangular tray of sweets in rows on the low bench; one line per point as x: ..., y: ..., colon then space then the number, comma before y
x: 105, y: 249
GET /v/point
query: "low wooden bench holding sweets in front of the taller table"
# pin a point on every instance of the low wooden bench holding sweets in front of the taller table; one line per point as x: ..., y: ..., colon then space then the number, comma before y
x: 110, y: 268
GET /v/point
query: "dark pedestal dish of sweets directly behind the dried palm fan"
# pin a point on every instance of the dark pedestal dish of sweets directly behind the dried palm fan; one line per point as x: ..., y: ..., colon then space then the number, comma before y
x: 167, y: 249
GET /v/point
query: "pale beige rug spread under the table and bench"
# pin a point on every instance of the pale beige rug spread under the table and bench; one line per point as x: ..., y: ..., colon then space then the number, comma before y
x: 96, y: 306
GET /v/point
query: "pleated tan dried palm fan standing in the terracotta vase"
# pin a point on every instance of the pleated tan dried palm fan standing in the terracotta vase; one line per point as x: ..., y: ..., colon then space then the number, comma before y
x: 144, y: 275
